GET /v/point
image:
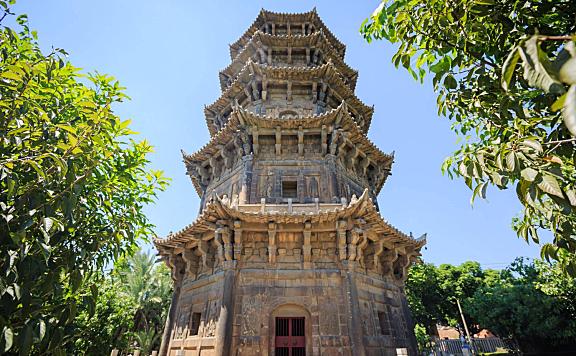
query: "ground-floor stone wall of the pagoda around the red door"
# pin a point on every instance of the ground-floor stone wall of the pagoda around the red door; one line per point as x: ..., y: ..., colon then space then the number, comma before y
x: 328, y: 299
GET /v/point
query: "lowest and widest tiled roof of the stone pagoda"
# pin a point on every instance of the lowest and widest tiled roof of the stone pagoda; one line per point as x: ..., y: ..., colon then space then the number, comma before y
x: 218, y: 210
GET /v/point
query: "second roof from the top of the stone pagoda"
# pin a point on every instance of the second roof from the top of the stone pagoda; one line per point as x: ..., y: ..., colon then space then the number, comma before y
x: 317, y: 39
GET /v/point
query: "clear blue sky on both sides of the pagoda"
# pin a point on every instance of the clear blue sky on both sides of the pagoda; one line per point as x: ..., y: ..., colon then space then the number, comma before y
x: 168, y: 54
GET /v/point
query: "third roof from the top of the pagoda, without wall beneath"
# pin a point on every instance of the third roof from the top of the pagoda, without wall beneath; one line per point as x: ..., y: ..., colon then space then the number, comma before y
x: 326, y: 72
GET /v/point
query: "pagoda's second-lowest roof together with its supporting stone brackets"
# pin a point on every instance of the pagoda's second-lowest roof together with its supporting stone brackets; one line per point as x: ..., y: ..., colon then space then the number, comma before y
x: 340, y: 136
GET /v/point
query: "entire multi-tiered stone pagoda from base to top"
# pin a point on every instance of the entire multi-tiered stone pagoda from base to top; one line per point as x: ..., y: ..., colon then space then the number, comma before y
x: 289, y: 254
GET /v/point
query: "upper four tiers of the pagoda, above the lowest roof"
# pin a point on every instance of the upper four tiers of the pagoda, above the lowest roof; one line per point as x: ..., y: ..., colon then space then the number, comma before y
x: 288, y: 126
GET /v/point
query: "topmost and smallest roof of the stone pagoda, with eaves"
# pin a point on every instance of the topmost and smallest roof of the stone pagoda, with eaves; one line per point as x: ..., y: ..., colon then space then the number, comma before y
x: 269, y: 16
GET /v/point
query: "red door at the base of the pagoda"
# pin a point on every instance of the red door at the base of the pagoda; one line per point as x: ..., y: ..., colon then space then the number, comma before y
x: 290, y: 339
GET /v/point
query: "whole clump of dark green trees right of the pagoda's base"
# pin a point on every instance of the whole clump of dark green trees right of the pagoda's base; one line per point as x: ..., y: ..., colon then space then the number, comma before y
x: 531, y: 303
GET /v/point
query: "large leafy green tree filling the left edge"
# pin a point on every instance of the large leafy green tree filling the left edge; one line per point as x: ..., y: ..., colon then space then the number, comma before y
x: 73, y: 183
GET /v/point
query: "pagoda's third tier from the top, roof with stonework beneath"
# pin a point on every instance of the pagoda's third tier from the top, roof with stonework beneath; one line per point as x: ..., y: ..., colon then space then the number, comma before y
x: 303, y: 91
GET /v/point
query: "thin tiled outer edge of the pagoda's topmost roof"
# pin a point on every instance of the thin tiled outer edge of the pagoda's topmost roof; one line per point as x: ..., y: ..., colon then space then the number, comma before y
x: 265, y: 15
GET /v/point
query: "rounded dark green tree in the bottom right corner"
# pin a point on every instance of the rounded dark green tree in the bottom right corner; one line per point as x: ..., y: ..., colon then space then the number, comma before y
x: 533, y: 304
